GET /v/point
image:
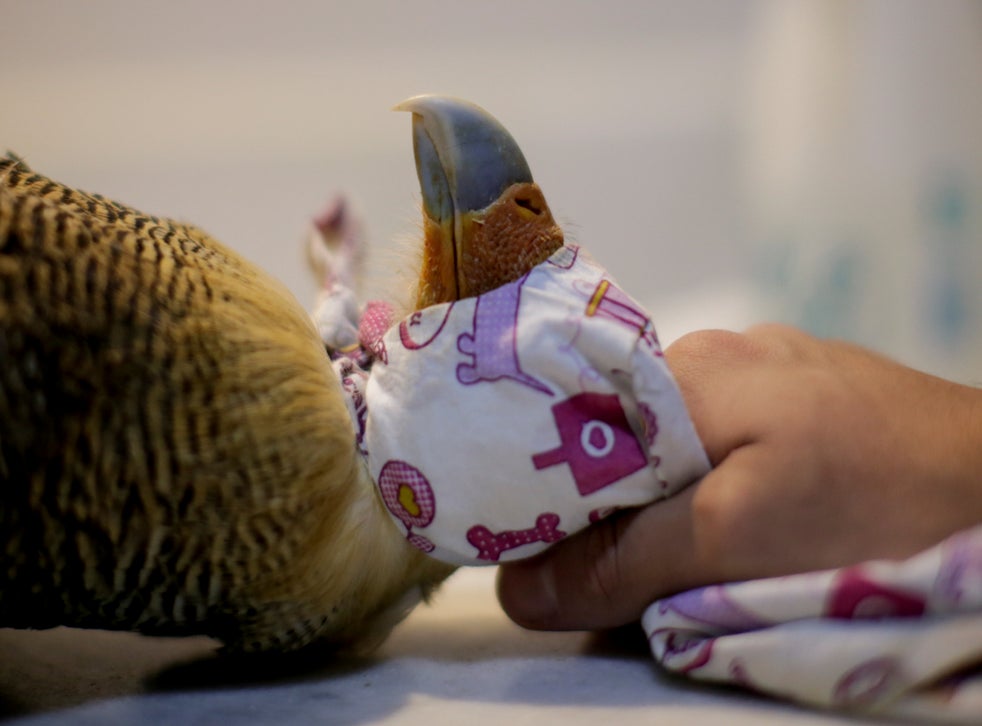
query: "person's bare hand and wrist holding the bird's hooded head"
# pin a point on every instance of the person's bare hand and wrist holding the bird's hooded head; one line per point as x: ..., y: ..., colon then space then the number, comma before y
x: 824, y: 455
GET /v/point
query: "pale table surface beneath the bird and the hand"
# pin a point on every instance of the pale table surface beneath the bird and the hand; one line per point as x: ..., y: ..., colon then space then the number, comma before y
x: 458, y: 661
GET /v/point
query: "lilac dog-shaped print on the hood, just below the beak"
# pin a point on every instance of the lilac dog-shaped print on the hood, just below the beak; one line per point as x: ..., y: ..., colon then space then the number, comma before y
x: 493, y: 346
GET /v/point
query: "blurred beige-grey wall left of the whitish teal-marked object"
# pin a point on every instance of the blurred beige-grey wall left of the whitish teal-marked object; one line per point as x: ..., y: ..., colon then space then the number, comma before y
x: 244, y: 115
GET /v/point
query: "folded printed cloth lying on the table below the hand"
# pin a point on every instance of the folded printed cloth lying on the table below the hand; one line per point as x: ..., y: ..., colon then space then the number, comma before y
x: 890, y: 638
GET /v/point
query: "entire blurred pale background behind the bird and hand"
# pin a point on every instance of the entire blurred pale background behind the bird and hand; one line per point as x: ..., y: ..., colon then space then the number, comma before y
x: 817, y: 162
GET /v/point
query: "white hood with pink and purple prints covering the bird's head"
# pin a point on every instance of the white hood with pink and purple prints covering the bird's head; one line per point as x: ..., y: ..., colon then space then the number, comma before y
x: 501, y: 423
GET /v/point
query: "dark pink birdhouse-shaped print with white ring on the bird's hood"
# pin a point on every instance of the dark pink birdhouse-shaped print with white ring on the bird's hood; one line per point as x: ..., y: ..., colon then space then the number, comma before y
x: 596, y: 441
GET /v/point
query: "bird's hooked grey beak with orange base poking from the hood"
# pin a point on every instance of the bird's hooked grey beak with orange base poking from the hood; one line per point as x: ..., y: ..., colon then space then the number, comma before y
x: 485, y: 222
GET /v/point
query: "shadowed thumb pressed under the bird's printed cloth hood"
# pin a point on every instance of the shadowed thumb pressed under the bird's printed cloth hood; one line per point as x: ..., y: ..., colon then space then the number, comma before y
x: 606, y: 575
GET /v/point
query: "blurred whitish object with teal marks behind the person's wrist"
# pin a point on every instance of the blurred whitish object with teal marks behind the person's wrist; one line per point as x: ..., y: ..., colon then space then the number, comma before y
x: 865, y: 175
